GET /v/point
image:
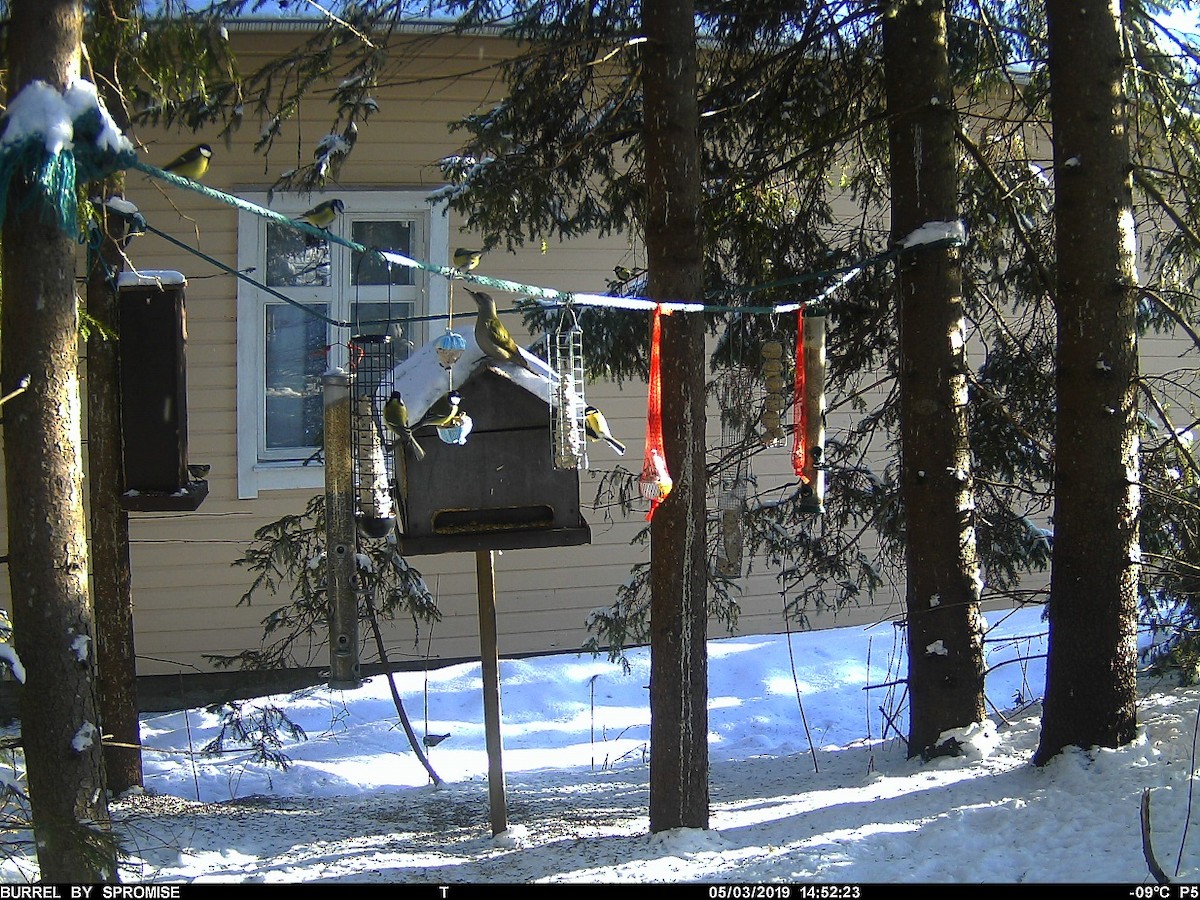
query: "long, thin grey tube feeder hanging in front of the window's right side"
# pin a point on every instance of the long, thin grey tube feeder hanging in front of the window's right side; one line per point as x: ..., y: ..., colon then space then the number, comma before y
x: 340, y: 535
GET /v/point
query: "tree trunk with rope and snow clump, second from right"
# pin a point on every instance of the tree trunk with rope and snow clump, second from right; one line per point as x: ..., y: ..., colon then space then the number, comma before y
x: 946, y: 673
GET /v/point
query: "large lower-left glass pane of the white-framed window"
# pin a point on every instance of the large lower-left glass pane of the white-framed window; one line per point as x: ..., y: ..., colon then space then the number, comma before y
x: 296, y: 361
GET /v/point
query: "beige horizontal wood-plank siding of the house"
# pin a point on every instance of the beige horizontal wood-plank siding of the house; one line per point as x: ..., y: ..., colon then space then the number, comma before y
x: 187, y: 589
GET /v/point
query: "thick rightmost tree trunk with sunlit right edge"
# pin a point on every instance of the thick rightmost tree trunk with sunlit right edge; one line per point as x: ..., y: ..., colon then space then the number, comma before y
x: 1091, y: 670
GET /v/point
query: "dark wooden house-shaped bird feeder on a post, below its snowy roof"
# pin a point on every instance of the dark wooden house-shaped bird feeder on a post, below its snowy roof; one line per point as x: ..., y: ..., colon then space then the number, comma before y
x: 497, y: 491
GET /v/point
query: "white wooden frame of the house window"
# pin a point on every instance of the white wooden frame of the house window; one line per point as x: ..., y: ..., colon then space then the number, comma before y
x: 433, y: 241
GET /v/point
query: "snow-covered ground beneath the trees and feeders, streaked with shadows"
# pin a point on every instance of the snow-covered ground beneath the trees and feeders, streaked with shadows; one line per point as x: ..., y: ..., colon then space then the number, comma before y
x: 356, y: 806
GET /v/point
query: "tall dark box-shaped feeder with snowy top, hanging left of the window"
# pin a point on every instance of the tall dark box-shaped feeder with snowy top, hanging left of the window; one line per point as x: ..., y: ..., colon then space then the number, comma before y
x: 153, y: 335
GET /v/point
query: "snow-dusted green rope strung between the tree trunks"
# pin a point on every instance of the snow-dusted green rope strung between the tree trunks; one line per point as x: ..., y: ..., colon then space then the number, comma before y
x: 548, y: 297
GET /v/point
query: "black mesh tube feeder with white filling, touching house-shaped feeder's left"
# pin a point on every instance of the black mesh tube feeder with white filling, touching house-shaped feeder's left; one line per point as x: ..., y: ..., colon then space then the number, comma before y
x: 373, y: 358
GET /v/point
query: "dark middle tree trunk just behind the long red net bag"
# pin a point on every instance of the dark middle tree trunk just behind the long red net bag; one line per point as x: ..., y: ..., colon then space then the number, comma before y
x: 679, y: 583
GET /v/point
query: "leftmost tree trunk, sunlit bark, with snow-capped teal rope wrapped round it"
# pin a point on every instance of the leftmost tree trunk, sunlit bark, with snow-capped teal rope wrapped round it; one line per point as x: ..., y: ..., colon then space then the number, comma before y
x: 49, y: 555
